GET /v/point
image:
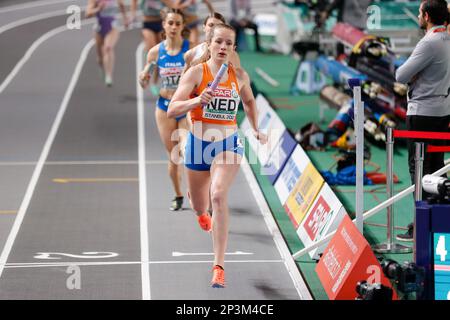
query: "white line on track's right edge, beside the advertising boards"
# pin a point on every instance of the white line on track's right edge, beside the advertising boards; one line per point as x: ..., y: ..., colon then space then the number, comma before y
x: 289, y: 262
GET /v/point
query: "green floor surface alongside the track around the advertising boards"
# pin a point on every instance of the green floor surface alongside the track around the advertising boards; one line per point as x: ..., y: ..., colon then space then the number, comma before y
x: 296, y: 111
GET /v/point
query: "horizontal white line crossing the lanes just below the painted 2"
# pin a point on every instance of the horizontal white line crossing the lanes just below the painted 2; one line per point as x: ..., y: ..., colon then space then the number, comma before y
x: 118, y: 263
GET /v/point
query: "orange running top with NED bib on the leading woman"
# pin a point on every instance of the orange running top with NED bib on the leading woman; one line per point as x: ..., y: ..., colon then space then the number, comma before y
x: 223, y: 107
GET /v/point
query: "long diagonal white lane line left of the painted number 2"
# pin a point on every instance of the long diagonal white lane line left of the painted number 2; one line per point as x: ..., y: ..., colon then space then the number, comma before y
x: 43, y: 157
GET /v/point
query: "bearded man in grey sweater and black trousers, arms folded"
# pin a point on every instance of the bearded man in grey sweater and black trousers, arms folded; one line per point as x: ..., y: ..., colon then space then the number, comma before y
x: 427, y: 72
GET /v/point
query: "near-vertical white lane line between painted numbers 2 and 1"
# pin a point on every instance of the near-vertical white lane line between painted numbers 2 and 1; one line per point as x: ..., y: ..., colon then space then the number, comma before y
x: 145, y: 269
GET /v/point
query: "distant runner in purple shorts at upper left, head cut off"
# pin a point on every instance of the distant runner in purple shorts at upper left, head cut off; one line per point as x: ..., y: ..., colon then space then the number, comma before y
x: 107, y: 35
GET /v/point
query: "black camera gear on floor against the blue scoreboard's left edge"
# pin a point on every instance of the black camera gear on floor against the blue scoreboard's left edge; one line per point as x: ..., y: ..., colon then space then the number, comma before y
x: 408, y: 277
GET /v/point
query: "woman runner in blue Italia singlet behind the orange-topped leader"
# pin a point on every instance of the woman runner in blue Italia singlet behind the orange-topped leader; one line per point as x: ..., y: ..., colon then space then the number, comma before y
x: 167, y: 57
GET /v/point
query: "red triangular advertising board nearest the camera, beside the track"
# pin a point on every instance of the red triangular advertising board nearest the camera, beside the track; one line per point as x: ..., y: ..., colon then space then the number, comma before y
x: 347, y: 260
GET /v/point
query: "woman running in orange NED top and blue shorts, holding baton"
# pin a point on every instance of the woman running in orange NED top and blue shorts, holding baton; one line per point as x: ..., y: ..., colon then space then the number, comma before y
x: 213, y: 150
